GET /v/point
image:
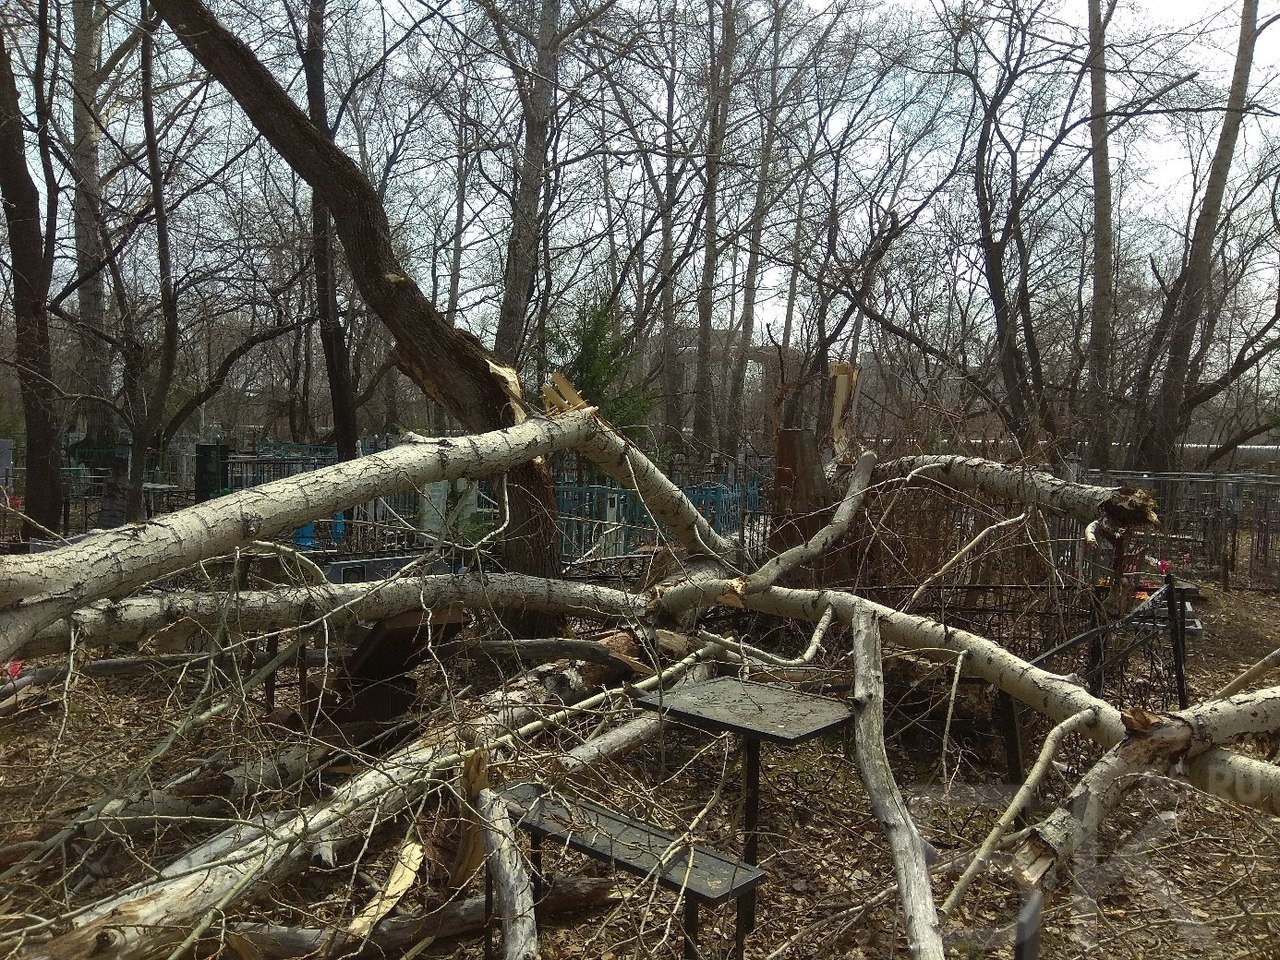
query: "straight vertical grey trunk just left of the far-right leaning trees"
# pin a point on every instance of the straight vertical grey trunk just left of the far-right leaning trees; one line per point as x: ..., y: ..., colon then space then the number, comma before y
x: 1099, y: 387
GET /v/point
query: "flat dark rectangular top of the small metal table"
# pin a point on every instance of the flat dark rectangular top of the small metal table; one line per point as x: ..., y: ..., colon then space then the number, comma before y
x: 770, y: 712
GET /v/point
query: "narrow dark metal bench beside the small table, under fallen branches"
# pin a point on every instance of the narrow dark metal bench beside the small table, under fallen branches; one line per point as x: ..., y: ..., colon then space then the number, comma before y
x: 702, y: 875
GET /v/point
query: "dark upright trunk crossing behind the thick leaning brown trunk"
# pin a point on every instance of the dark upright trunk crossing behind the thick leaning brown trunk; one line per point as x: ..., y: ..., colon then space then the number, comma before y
x: 333, y: 339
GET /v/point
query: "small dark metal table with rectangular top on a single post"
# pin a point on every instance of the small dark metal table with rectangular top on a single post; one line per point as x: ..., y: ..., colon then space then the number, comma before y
x: 756, y: 712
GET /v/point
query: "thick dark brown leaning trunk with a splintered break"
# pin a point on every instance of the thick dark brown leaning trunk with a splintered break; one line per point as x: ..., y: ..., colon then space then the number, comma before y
x: 451, y: 365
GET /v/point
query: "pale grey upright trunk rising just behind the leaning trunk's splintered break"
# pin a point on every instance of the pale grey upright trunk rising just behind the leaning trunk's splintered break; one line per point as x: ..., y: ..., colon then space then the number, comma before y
x: 537, y: 98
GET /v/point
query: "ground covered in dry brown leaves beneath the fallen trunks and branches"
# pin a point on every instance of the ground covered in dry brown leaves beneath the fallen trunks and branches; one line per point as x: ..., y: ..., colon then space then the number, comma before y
x: 1185, y: 875
